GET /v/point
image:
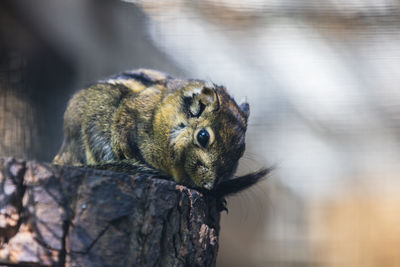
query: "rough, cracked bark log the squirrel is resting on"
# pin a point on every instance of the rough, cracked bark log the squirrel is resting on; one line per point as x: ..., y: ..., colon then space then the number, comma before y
x: 64, y: 216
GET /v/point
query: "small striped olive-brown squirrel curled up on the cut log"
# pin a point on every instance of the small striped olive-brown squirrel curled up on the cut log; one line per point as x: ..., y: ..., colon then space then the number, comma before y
x: 144, y: 120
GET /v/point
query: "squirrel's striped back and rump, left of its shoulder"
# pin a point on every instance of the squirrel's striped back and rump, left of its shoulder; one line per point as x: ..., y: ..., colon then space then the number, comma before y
x: 90, y: 113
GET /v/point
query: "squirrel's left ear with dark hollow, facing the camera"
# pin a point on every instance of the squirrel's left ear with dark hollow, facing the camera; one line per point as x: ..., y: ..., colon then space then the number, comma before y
x: 201, y: 99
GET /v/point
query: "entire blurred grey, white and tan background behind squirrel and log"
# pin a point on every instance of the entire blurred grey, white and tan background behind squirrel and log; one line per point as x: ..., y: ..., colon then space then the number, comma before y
x: 322, y: 81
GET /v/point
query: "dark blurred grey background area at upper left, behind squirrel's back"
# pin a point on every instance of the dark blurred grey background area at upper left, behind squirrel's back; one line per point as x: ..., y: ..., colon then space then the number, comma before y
x: 51, y: 50
